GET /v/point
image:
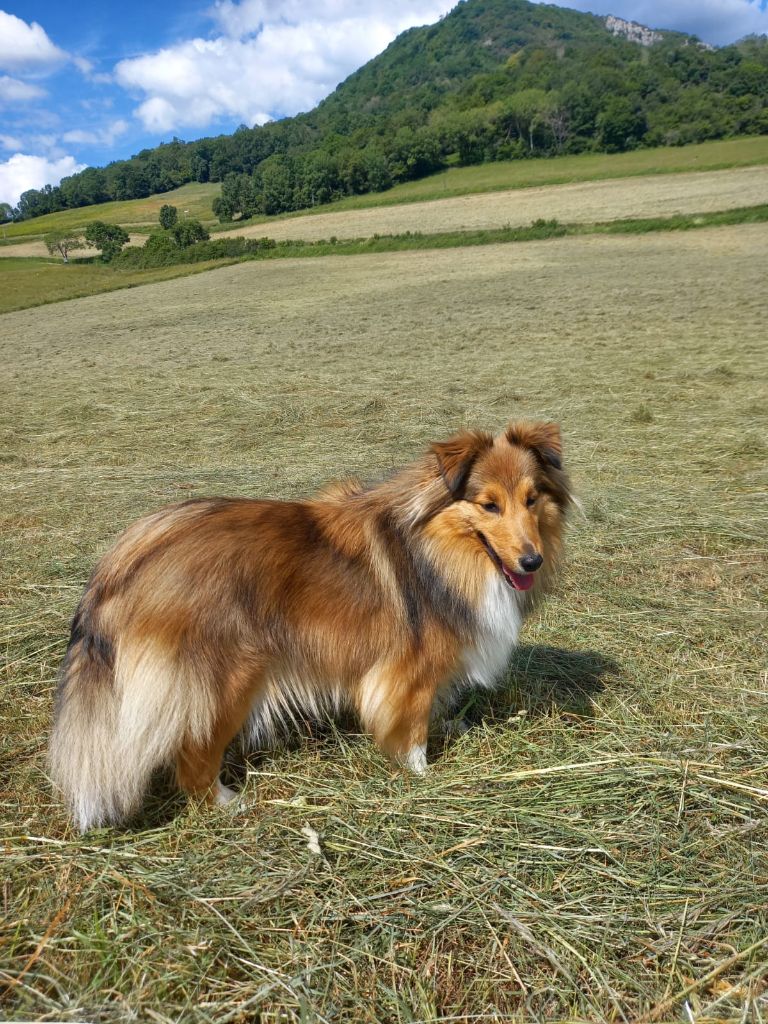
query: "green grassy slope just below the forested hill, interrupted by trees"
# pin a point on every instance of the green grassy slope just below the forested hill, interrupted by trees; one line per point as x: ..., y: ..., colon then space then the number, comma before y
x: 456, y: 182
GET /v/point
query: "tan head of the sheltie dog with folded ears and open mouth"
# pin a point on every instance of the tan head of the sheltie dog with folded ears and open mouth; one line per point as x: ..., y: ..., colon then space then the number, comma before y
x: 507, y: 494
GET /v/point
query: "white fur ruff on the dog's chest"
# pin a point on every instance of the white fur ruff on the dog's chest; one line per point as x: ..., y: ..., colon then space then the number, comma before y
x: 500, y: 623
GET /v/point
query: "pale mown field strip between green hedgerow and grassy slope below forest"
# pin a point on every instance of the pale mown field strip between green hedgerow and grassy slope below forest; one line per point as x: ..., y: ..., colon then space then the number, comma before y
x: 656, y: 196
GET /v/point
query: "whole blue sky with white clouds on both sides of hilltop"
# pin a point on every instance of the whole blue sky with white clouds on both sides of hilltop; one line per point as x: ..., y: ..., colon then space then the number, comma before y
x: 115, y: 78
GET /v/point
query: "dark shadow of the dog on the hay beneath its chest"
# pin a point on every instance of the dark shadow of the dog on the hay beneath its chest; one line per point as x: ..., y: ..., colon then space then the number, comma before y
x: 541, y: 680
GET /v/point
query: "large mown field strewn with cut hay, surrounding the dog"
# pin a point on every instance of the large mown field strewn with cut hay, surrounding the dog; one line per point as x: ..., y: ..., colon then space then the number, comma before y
x: 595, y: 848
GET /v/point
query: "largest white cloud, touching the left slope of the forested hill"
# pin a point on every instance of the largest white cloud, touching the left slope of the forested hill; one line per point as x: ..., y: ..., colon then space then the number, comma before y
x: 272, y: 60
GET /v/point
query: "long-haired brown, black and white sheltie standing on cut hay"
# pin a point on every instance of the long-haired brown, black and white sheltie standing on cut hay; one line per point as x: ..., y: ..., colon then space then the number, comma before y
x: 220, y: 616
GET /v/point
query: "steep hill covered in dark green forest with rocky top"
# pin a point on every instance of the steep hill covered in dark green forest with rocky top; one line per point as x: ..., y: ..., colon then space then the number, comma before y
x: 493, y: 80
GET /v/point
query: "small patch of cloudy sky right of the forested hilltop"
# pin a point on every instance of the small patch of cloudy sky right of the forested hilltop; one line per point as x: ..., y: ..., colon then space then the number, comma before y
x: 716, y: 22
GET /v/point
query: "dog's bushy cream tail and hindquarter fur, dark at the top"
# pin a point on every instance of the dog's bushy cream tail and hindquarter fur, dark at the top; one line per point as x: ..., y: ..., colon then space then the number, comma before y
x: 120, y: 715
